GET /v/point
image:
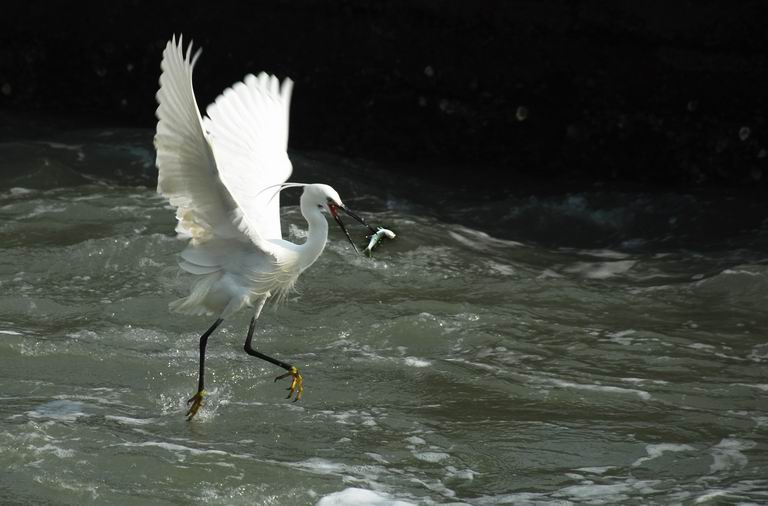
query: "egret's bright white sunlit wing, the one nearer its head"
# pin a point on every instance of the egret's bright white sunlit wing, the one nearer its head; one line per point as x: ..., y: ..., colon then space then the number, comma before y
x: 248, y: 129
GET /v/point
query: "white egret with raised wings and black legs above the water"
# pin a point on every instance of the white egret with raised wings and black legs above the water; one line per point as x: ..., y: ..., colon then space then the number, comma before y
x: 217, y: 172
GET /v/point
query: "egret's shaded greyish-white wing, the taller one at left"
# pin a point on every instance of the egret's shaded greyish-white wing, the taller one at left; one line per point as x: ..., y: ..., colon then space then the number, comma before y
x: 187, y: 174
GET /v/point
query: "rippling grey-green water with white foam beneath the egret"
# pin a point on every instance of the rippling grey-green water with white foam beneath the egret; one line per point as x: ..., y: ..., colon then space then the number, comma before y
x: 592, y: 347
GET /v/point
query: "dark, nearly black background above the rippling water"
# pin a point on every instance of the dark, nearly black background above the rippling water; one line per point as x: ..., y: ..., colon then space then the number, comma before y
x: 669, y: 94
